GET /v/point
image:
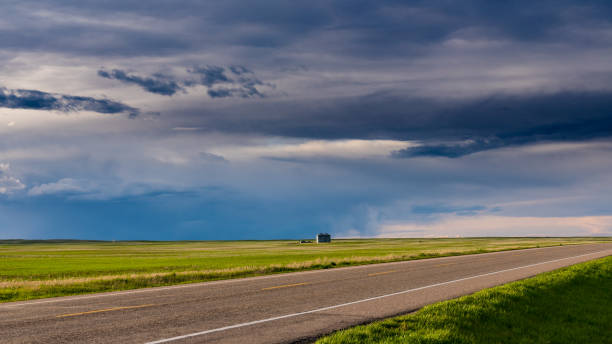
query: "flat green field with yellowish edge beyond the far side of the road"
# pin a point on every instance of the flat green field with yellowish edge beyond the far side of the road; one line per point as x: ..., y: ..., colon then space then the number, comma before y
x: 35, y: 269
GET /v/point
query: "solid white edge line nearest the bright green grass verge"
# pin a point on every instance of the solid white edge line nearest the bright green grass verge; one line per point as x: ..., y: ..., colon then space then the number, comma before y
x: 355, y: 302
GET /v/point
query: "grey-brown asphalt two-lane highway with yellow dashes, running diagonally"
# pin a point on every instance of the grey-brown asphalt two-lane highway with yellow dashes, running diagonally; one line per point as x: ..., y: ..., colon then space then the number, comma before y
x: 285, y: 308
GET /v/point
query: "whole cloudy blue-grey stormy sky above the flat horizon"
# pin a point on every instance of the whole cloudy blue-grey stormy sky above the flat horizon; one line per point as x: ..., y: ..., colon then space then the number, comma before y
x: 182, y: 120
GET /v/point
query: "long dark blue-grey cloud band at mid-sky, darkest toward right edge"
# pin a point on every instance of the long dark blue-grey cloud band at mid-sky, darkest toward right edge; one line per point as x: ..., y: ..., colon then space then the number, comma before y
x: 448, y: 128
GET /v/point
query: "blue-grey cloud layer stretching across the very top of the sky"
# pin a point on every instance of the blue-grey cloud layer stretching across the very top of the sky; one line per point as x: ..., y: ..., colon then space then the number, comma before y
x: 368, y: 29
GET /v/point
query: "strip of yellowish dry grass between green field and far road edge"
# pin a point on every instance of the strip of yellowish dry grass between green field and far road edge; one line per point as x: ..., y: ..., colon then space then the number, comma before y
x: 26, y: 290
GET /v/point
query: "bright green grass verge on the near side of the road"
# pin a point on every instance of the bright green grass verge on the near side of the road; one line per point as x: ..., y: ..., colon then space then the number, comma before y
x: 571, y: 305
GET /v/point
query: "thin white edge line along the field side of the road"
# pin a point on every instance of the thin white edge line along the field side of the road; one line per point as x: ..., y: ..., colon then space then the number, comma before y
x: 247, y: 279
